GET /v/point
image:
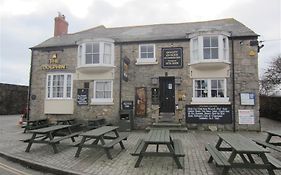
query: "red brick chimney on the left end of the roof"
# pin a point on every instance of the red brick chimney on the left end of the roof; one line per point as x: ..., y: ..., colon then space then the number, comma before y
x: 61, y: 25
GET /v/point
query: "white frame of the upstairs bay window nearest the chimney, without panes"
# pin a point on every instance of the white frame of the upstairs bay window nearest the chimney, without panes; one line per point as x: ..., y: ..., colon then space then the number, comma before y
x: 102, y: 42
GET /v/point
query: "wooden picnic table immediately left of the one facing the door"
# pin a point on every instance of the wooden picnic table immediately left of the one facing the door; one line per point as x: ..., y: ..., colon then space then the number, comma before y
x: 100, y: 134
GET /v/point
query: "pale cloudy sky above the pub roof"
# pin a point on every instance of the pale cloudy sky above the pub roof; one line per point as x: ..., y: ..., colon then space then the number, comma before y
x: 26, y: 23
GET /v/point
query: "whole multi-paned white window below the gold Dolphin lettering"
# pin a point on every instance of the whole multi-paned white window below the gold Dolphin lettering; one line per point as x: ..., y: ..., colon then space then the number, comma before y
x: 59, y: 86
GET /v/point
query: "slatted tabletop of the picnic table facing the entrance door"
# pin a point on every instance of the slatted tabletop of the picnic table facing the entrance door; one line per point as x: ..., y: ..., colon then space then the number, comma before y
x: 160, y: 136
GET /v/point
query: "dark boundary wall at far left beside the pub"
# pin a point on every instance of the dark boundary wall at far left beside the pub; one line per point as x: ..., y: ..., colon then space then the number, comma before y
x: 13, y: 98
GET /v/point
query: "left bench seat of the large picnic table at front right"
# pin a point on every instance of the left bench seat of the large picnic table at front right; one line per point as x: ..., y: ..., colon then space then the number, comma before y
x: 219, y: 159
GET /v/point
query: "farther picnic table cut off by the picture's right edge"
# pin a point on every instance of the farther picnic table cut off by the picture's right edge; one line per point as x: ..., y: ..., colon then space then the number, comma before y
x: 268, y: 141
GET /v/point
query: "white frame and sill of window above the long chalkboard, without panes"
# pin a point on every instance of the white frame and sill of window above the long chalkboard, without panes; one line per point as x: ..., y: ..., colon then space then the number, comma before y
x: 209, y: 99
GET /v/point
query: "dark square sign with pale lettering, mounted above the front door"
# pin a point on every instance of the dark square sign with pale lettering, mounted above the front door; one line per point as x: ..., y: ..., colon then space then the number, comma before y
x: 172, y: 57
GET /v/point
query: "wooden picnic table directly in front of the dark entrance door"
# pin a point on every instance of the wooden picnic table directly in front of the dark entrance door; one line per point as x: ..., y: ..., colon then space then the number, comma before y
x: 159, y: 137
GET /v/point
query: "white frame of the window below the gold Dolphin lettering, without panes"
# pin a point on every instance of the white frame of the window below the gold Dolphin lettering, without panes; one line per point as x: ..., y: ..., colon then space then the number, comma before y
x: 49, y: 89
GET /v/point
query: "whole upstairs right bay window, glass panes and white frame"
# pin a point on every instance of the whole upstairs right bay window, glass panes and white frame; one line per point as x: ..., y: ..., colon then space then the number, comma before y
x: 209, y: 48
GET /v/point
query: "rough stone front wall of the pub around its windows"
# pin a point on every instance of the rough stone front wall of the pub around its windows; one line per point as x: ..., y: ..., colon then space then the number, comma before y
x: 245, y: 80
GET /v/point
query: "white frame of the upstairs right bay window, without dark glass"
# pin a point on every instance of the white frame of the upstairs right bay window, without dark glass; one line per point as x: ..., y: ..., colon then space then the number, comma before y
x: 223, y: 49
